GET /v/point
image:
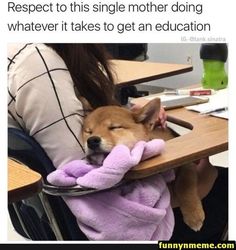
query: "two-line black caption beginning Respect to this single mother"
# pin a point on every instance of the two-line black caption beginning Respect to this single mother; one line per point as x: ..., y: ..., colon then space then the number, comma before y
x: 110, y: 17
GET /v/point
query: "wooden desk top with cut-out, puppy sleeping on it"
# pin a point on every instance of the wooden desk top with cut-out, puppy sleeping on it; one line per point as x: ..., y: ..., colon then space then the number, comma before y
x: 208, y: 135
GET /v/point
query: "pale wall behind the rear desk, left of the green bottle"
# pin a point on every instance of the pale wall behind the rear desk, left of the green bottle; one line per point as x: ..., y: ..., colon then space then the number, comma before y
x: 184, y: 53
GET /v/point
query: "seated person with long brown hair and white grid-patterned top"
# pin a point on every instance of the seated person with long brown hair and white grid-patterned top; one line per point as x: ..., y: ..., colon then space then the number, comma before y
x: 44, y: 80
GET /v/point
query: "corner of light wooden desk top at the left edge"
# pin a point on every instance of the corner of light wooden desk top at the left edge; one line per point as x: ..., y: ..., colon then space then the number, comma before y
x: 22, y: 181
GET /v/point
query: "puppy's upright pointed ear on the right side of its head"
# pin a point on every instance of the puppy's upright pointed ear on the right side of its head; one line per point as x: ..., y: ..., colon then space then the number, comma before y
x: 148, y: 114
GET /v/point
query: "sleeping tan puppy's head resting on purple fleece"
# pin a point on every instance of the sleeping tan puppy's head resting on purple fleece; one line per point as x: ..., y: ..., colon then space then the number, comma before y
x: 108, y: 126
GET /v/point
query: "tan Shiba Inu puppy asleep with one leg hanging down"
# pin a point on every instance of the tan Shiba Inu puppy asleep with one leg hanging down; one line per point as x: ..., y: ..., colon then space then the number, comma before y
x: 108, y: 126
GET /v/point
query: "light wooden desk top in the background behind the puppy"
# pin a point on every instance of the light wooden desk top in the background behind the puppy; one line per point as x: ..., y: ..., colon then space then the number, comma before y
x: 133, y: 72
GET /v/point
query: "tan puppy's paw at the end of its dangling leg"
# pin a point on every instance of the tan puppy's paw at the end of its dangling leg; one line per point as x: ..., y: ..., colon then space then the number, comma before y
x: 195, y: 219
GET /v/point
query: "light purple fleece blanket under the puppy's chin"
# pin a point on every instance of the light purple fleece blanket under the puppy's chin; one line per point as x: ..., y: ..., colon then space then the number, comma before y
x: 140, y: 210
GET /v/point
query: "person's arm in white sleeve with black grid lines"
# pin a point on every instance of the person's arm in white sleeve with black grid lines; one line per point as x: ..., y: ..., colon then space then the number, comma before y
x: 47, y: 106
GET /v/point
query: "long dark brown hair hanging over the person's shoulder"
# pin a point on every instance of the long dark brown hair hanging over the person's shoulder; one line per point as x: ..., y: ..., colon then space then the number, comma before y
x: 90, y: 71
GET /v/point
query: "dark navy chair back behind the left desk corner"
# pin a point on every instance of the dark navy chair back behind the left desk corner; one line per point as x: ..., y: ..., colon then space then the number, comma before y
x: 25, y: 149
